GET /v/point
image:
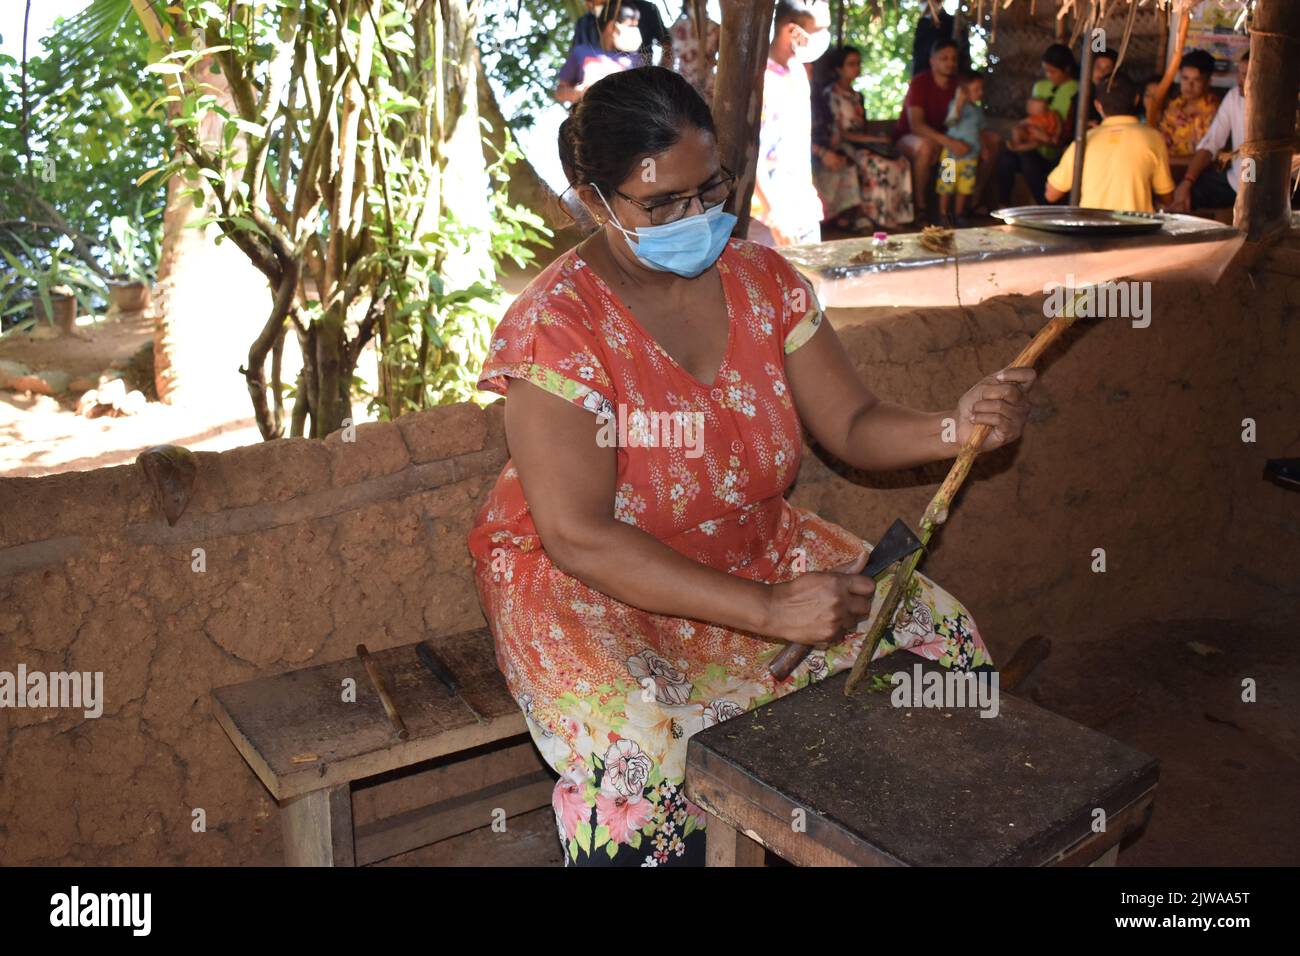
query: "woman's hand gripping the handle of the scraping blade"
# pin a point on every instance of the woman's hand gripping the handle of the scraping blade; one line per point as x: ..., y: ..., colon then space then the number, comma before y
x: 820, y: 607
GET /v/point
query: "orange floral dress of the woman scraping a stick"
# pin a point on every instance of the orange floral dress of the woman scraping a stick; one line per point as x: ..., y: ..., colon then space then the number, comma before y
x: 613, y: 693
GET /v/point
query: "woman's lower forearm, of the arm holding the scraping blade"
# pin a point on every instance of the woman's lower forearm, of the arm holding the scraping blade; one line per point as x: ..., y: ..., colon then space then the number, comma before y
x: 640, y: 570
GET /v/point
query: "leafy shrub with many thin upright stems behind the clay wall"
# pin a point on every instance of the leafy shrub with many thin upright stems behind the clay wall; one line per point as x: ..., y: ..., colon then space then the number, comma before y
x: 323, y: 137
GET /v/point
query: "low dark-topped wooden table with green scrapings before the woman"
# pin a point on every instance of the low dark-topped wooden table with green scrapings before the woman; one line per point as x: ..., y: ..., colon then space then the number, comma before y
x: 874, y: 785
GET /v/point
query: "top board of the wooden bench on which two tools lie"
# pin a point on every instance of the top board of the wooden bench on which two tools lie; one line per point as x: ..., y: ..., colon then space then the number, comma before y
x: 298, y: 734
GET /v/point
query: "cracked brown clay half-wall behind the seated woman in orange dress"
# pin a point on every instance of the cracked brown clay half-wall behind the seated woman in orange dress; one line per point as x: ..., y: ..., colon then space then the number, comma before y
x: 311, y: 547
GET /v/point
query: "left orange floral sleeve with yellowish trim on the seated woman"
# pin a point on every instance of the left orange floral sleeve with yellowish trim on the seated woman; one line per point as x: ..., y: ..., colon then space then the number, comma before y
x: 547, y: 338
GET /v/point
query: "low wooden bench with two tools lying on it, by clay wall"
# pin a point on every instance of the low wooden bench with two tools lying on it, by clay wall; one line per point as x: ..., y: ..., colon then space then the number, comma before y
x: 309, y: 747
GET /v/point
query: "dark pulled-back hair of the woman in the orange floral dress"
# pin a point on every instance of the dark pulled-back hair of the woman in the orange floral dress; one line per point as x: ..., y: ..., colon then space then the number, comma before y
x: 625, y: 118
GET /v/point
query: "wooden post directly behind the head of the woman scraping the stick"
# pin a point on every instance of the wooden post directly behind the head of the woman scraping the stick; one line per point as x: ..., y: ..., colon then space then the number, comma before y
x: 739, y: 94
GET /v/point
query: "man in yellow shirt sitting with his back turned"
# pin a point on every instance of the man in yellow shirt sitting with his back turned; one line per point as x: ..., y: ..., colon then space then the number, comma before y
x: 1125, y: 162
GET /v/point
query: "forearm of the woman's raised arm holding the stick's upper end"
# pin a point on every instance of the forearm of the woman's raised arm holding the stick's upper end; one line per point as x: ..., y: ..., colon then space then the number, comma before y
x: 885, y: 436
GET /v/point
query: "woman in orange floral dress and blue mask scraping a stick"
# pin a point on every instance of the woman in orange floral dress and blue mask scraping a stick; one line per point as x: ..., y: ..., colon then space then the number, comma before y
x: 638, y: 561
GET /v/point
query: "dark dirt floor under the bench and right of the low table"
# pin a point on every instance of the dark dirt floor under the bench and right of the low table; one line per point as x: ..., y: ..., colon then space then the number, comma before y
x: 1229, y: 776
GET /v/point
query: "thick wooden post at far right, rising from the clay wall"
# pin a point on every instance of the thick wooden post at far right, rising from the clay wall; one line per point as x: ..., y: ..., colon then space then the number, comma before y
x: 1264, y: 201
